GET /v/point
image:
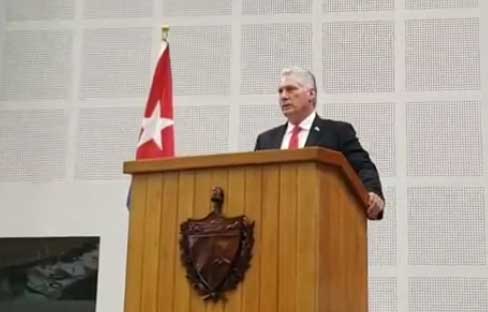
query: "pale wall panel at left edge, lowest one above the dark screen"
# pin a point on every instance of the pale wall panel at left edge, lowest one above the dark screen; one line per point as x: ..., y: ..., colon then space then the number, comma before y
x: 32, y: 145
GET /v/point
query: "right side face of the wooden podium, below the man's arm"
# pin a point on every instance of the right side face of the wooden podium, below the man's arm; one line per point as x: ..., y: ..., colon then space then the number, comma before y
x: 342, y: 248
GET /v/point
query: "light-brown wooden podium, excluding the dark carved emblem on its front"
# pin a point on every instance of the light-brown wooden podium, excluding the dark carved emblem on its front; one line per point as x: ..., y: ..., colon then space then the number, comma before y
x: 310, y: 250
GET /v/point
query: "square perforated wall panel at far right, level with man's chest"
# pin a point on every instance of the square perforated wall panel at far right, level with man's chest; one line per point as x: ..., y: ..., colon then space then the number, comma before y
x: 444, y: 138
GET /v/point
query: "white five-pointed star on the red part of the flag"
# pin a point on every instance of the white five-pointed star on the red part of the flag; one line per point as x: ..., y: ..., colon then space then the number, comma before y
x: 152, y: 126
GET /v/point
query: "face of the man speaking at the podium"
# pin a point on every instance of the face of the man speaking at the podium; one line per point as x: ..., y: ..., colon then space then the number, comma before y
x: 296, y: 100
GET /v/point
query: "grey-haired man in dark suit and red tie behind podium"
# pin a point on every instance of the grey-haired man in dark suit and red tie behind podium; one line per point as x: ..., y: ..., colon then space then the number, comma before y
x: 298, y: 96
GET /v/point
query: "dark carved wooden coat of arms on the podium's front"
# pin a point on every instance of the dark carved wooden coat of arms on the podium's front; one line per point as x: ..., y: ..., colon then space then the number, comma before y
x: 216, y: 251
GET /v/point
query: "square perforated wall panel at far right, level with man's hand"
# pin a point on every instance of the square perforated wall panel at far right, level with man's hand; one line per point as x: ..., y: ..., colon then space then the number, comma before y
x: 446, y: 226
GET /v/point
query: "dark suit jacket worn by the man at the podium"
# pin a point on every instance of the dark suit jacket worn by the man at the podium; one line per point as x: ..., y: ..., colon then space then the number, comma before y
x: 335, y: 135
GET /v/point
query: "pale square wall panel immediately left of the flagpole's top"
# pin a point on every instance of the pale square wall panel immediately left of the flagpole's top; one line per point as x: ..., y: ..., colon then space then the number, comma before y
x: 116, y: 62
